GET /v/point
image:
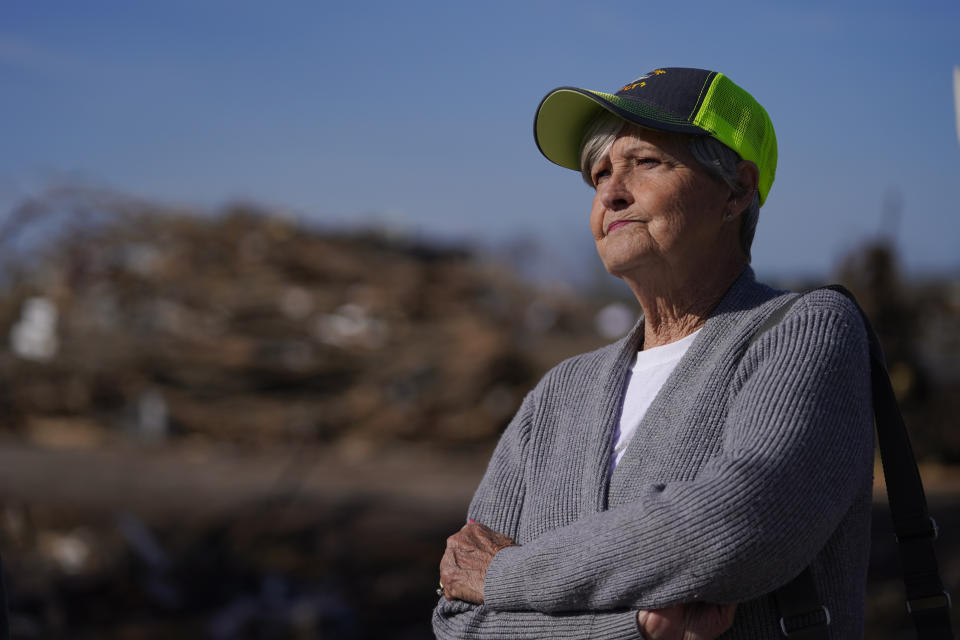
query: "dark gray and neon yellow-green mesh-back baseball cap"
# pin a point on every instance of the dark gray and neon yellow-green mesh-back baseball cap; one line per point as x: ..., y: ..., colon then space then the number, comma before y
x: 675, y: 99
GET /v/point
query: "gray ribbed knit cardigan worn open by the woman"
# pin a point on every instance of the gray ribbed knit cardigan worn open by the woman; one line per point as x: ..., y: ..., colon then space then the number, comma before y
x: 754, y: 461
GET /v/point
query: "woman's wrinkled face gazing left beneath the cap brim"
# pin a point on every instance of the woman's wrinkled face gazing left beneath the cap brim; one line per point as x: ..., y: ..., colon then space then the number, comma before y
x: 655, y: 206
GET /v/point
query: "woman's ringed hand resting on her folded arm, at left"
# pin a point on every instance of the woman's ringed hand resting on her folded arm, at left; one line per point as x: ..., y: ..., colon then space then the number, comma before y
x: 464, y: 563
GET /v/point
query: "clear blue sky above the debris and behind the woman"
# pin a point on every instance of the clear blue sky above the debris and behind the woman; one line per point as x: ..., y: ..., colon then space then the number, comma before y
x: 418, y: 114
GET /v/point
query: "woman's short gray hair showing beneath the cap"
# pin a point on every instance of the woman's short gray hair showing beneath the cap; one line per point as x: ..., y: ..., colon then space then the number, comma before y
x: 719, y: 160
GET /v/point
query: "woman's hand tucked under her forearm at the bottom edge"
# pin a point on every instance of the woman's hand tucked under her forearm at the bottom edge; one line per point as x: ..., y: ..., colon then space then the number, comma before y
x: 691, y: 621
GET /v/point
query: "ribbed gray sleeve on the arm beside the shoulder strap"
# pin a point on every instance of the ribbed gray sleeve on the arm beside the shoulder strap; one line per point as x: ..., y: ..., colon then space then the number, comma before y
x: 795, y: 452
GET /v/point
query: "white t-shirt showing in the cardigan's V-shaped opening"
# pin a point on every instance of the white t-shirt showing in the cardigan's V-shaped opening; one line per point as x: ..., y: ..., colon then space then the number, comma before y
x: 648, y: 374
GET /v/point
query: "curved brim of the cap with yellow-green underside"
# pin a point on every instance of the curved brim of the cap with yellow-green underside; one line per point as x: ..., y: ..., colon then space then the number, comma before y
x: 565, y: 113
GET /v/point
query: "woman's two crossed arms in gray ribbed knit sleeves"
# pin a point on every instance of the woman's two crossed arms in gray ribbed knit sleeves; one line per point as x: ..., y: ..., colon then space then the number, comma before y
x: 590, y: 578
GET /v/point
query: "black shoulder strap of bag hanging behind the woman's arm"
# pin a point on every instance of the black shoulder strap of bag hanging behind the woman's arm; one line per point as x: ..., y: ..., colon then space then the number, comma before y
x: 803, y: 616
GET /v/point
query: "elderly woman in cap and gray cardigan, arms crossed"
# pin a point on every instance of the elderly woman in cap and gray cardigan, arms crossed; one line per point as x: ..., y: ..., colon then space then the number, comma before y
x: 718, y: 450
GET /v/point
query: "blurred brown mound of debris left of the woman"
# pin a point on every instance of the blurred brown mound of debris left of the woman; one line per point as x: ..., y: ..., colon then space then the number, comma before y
x: 253, y: 328
